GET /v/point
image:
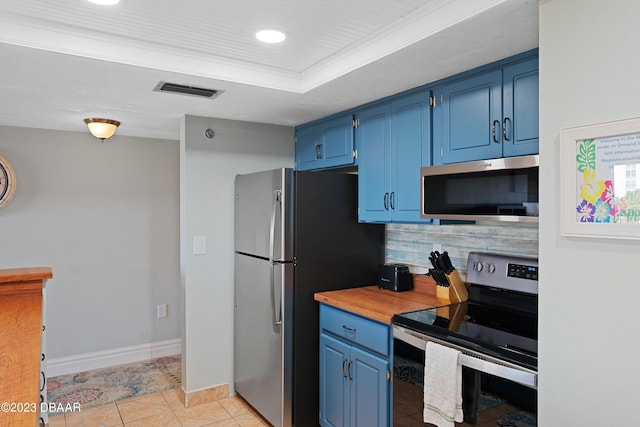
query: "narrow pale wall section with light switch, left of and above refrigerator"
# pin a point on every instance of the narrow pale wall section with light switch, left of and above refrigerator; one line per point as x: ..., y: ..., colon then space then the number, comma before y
x: 207, y: 171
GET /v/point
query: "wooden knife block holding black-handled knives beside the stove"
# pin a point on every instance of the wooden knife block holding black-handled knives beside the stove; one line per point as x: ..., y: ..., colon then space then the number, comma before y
x: 450, y: 287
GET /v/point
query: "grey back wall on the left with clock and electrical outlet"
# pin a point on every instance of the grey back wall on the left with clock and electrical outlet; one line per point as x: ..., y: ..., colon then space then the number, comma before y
x: 104, y: 216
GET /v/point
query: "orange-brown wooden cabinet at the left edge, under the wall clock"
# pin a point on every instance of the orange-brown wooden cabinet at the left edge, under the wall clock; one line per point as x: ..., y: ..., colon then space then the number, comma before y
x: 21, y: 291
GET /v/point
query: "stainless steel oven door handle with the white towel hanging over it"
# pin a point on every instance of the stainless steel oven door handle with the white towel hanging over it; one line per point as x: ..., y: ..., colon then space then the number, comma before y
x: 470, y: 359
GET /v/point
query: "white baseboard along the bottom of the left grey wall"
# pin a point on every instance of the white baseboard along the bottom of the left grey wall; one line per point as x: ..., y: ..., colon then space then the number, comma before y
x: 114, y: 357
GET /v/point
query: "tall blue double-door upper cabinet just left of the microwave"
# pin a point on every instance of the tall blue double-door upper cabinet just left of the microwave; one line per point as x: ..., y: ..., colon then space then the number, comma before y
x: 393, y: 142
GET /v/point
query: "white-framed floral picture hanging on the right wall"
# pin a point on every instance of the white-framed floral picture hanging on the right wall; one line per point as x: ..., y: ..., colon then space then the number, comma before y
x: 600, y: 180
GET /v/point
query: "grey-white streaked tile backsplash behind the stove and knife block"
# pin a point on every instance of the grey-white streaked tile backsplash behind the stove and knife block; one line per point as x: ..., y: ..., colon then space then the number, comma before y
x: 412, y: 243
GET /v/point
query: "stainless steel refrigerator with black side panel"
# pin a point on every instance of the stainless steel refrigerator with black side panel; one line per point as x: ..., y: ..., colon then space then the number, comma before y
x: 296, y: 233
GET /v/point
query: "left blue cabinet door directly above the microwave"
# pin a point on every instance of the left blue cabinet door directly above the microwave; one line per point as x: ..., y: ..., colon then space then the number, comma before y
x: 468, y: 119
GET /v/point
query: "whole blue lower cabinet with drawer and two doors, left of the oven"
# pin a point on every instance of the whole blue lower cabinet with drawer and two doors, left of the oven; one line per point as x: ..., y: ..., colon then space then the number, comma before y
x: 355, y: 381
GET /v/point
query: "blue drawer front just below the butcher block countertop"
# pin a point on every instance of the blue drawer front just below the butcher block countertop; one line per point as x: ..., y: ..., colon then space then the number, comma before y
x: 351, y: 327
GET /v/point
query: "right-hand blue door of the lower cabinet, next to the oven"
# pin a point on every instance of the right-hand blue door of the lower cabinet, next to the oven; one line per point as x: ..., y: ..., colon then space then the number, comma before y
x: 370, y: 390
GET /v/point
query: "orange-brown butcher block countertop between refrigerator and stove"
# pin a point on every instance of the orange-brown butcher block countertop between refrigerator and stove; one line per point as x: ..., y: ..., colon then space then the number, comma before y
x: 381, y: 304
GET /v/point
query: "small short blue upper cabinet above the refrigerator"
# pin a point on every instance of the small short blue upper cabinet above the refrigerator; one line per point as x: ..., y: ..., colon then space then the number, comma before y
x: 328, y: 143
